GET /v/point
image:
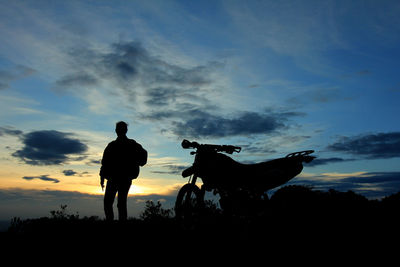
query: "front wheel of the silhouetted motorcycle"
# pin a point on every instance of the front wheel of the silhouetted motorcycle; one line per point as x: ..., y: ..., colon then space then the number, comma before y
x: 189, y: 201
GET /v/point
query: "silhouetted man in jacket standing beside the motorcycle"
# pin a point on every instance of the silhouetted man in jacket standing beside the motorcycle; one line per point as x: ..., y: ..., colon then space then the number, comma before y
x: 120, y: 164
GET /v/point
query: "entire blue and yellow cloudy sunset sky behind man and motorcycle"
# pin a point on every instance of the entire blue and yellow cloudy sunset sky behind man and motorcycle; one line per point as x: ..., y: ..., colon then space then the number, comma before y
x: 273, y: 77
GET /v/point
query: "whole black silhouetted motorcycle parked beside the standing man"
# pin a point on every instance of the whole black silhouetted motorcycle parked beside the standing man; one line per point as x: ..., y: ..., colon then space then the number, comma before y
x: 242, y: 187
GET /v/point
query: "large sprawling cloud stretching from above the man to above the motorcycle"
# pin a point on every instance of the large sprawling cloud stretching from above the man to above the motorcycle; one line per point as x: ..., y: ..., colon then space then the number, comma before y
x: 180, y: 98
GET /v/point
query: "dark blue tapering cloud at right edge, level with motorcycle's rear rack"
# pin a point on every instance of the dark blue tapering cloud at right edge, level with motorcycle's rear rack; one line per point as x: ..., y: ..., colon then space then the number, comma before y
x: 370, y: 146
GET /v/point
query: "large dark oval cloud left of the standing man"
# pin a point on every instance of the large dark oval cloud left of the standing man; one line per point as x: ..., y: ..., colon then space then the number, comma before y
x: 49, y: 148
